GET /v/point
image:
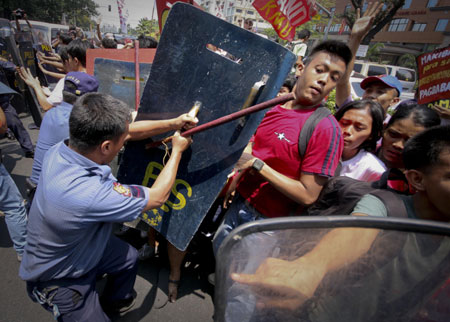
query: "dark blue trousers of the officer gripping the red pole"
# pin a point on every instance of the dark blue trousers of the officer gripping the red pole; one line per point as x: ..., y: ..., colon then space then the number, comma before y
x: 76, y: 299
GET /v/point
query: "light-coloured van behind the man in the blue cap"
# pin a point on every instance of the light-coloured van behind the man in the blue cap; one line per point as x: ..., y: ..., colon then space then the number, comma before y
x: 406, y: 76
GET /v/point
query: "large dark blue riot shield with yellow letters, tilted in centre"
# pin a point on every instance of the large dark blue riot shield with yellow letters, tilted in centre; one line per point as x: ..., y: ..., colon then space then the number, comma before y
x: 201, y: 58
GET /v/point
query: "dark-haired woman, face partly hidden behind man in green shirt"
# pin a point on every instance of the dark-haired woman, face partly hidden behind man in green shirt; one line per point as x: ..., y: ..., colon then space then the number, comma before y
x: 409, y: 120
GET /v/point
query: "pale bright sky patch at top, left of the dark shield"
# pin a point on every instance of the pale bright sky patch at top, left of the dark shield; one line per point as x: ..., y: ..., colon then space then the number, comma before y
x: 137, y: 9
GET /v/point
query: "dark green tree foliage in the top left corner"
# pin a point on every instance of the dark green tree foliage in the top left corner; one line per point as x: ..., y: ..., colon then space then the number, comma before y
x: 78, y: 12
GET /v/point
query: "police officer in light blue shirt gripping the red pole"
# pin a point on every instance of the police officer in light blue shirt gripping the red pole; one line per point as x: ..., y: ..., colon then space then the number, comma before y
x: 77, y: 200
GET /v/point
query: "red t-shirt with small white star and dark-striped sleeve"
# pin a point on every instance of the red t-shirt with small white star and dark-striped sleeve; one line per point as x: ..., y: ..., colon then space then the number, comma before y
x: 276, y: 143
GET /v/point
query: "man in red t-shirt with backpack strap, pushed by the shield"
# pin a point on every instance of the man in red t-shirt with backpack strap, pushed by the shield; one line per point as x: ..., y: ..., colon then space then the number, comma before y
x: 272, y: 179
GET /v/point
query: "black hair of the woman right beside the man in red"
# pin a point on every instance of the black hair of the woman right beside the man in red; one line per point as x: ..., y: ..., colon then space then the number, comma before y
x: 376, y: 112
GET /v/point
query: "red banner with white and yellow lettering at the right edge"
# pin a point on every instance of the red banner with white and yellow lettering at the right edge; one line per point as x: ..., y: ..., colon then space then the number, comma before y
x: 434, y: 75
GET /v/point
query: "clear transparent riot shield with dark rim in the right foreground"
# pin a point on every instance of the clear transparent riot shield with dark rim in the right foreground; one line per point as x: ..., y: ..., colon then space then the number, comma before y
x: 403, y: 275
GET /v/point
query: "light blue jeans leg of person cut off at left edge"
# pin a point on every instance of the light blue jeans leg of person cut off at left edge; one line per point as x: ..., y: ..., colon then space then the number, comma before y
x: 12, y: 205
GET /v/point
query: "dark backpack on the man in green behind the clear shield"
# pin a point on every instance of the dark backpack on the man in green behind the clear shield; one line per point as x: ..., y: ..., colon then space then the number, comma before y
x: 341, y: 194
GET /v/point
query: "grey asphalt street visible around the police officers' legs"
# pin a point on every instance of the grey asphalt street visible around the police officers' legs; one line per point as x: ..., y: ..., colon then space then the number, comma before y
x: 195, y: 294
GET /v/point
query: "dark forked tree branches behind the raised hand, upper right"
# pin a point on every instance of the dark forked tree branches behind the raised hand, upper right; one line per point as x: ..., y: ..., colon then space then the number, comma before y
x: 381, y: 20
